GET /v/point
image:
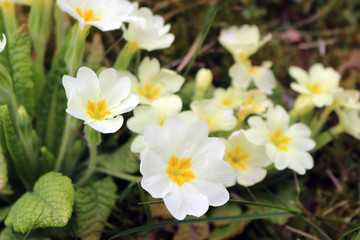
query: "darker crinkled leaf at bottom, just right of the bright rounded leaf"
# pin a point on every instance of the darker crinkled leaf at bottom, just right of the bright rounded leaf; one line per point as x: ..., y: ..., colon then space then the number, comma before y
x: 93, y: 206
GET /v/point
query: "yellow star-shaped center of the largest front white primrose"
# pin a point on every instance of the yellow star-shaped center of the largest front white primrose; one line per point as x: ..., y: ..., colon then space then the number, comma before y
x: 178, y: 170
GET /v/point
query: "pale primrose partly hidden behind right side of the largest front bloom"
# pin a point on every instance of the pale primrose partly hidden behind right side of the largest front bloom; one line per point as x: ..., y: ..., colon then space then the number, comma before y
x: 247, y: 159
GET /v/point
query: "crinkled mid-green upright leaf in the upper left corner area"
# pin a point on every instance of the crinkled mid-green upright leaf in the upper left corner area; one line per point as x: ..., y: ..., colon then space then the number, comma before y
x: 22, y: 68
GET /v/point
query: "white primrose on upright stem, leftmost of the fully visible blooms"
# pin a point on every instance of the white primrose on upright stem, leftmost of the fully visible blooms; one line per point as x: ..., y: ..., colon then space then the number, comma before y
x: 99, y: 101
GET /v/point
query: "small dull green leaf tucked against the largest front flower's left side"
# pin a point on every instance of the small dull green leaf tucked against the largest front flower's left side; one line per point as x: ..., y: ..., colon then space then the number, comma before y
x: 122, y: 160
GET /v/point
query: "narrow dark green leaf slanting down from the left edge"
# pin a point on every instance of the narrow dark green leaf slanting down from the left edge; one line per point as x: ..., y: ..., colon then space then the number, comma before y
x: 13, y: 145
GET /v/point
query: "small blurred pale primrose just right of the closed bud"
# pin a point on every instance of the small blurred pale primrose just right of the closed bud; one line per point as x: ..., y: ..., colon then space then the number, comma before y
x: 230, y: 97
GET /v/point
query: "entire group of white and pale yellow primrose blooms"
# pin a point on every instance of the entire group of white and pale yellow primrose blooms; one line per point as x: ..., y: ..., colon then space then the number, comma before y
x: 179, y: 162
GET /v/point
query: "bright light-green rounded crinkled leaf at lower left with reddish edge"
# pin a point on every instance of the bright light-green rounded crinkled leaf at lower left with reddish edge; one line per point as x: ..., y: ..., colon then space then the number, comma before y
x: 50, y: 204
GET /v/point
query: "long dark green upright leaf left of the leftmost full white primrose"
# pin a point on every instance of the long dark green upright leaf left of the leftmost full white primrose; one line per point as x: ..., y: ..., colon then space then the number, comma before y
x: 50, y: 111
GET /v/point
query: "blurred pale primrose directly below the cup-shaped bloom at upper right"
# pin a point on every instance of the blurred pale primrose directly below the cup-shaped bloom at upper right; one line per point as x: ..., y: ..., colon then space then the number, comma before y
x: 243, y: 72
